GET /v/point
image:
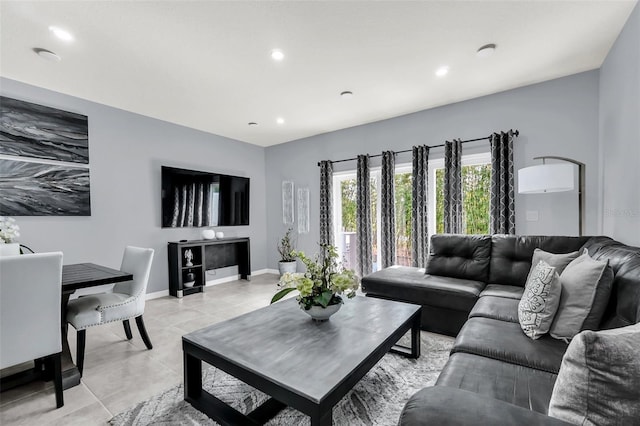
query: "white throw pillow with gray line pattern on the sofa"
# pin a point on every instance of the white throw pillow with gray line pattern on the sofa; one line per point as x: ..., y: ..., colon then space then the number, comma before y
x: 540, y: 300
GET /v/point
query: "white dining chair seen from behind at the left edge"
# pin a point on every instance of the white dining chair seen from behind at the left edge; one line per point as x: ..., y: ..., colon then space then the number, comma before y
x: 30, y: 317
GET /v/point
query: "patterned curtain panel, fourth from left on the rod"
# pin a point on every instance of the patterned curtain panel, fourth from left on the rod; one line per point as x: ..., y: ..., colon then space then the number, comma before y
x: 420, y: 207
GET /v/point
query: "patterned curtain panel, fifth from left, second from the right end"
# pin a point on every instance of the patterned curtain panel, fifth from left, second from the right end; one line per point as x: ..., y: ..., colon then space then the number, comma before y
x: 453, y: 223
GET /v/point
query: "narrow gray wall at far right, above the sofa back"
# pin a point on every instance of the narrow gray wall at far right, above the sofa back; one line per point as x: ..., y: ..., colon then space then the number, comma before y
x: 620, y: 135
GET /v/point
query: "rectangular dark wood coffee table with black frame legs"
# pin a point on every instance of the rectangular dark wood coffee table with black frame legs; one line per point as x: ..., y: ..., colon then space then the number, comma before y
x: 299, y: 363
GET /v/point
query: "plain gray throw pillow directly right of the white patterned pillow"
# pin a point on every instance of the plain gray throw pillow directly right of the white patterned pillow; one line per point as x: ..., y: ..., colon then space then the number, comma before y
x: 586, y: 287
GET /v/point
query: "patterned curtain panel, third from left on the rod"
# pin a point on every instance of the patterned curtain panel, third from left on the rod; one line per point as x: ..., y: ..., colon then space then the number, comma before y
x: 388, y: 209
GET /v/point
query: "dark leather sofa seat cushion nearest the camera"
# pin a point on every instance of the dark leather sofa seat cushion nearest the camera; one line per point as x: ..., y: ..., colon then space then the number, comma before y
x: 518, y: 385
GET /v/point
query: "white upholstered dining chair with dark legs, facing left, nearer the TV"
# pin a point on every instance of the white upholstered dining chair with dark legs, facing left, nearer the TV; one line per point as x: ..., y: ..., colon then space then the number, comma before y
x: 125, y: 302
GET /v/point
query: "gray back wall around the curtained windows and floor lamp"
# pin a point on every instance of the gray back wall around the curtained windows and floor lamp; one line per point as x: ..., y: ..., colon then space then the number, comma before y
x: 558, y: 117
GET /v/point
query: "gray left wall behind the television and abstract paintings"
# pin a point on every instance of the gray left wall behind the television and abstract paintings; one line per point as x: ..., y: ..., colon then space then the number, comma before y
x: 126, y: 151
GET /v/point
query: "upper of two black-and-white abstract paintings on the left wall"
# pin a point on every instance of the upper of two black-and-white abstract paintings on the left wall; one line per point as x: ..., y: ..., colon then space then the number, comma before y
x: 36, y: 131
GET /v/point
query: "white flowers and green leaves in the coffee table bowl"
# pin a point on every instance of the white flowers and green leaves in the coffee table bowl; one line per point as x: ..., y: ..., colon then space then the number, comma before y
x: 323, y: 282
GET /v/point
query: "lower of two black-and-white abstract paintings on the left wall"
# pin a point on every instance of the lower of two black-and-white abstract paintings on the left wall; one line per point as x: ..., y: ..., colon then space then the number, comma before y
x: 43, y: 189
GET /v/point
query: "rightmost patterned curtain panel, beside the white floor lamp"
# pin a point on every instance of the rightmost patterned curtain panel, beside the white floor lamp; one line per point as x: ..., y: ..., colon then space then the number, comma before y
x: 502, y: 206
